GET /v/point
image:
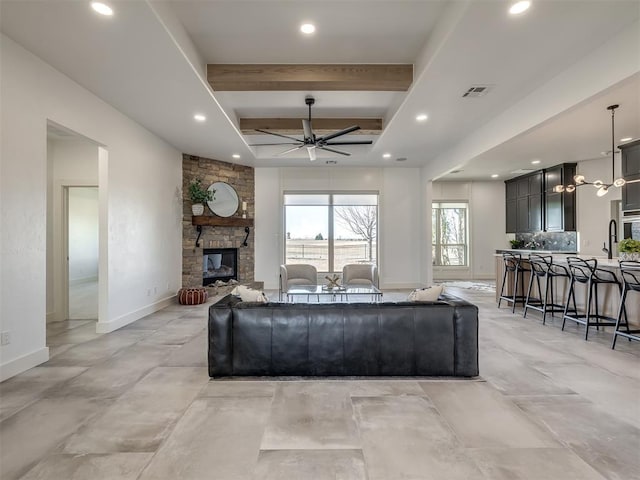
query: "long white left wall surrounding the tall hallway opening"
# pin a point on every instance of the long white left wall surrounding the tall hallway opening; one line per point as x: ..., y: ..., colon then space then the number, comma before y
x: 140, y: 205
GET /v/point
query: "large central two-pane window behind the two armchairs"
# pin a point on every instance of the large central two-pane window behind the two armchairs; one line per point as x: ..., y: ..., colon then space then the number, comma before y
x: 329, y: 230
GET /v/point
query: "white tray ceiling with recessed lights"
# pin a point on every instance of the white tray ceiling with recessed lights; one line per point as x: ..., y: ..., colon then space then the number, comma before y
x: 149, y: 61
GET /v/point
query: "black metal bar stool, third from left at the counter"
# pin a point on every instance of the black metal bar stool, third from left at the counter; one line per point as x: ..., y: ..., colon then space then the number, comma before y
x: 588, y: 273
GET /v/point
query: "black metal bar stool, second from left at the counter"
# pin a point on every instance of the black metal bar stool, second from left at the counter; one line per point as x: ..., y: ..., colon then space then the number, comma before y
x: 542, y: 266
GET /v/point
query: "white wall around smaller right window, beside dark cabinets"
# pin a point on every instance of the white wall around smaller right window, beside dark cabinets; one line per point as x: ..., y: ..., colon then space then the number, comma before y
x: 486, y: 226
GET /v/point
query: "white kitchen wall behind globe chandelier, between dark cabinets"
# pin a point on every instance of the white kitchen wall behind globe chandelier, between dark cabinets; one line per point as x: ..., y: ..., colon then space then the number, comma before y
x: 592, y: 212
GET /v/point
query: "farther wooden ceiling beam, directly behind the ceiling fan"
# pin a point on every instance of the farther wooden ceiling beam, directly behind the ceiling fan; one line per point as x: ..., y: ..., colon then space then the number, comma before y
x: 293, y: 126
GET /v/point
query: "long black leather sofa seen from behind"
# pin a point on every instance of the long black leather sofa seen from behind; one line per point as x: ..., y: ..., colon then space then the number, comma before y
x: 359, y: 339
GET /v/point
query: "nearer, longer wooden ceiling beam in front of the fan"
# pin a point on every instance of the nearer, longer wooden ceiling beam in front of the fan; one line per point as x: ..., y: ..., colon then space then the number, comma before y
x: 310, y: 77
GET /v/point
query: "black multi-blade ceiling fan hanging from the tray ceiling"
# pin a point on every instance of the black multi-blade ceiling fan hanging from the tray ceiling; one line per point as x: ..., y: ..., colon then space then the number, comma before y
x: 310, y: 141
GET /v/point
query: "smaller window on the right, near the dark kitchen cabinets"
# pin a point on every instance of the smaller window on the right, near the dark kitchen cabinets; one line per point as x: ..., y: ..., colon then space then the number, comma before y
x: 449, y: 233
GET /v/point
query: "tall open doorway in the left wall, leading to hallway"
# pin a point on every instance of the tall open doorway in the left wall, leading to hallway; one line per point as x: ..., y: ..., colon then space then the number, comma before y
x: 73, y: 251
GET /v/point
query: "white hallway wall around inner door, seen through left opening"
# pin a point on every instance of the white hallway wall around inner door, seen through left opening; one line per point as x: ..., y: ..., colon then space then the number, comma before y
x: 72, y: 161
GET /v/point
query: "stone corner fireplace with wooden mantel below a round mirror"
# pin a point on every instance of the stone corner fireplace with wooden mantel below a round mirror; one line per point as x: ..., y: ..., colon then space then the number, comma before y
x: 226, y: 234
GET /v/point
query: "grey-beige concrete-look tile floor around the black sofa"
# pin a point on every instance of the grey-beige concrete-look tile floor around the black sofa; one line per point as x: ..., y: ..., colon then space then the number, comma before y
x: 138, y: 404
